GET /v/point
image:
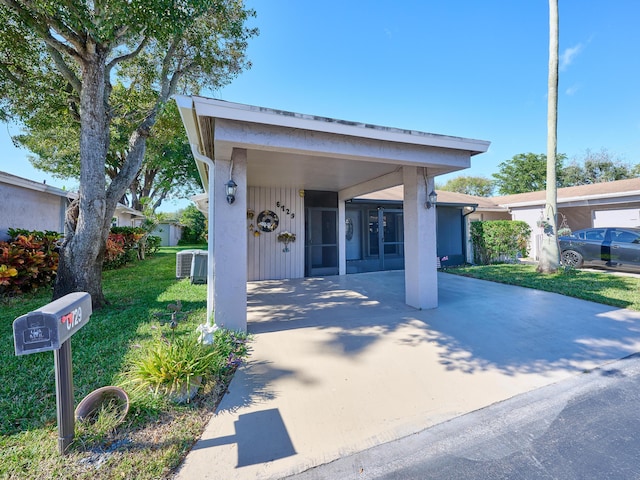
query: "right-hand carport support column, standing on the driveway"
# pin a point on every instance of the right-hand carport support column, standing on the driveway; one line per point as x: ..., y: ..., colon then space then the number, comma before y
x: 420, y: 273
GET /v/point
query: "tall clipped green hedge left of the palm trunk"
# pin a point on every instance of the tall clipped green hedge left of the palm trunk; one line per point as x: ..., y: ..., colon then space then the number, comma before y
x: 499, y: 241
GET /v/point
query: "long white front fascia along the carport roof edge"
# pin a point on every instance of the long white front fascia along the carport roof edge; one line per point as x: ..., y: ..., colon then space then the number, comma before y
x: 247, y: 113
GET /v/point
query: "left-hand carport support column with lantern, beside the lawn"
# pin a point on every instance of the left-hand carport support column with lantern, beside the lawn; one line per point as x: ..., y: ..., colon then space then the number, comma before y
x: 230, y: 243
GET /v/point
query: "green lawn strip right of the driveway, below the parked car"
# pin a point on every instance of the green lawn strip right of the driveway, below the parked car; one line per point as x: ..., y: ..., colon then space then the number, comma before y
x: 601, y: 287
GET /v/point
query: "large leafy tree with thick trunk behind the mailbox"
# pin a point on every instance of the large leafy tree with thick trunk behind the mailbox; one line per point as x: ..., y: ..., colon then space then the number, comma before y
x: 59, y: 62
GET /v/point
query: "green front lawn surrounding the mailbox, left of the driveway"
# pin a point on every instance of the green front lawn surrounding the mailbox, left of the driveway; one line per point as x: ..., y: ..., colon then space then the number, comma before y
x: 156, y: 434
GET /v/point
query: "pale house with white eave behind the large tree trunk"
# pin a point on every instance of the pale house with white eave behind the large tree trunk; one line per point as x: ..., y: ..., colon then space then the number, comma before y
x: 32, y: 205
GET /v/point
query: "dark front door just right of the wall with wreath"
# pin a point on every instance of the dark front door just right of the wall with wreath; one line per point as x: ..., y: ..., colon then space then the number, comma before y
x: 321, y: 247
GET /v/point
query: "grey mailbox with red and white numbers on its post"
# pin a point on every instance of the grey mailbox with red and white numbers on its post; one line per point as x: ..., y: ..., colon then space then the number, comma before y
x: 50, y: 329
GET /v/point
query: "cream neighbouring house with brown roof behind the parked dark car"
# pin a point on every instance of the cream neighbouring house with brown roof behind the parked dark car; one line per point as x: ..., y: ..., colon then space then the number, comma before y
x: 605, y: 204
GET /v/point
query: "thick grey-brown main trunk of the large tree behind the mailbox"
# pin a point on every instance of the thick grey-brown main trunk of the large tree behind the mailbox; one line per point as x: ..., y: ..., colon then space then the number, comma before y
x: 82, y: 253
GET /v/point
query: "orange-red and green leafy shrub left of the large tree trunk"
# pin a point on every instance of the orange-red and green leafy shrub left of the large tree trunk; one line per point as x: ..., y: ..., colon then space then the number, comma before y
x: 28, y: 261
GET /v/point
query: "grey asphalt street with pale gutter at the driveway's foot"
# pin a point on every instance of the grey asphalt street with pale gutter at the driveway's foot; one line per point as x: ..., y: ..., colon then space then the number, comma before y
x: 586, y: 427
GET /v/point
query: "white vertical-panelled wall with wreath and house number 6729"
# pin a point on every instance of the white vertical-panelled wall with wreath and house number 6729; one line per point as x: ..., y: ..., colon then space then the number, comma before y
x: 266, y: 259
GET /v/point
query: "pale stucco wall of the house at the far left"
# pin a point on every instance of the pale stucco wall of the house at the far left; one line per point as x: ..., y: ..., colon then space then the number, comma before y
x: 30, y: 209
